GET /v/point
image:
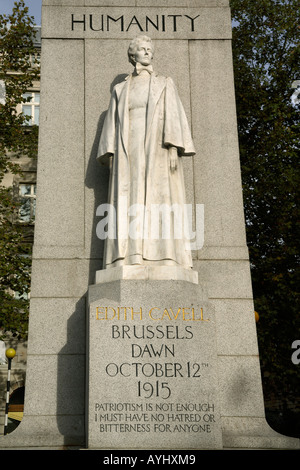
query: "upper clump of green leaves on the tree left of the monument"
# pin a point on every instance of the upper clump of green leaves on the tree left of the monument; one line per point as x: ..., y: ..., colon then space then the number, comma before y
x: 18, y: 72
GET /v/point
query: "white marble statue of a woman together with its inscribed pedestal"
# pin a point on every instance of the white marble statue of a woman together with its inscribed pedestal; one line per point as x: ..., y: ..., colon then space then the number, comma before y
x: 151, y: 351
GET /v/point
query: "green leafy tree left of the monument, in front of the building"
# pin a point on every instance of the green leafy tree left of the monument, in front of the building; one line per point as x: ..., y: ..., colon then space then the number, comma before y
x: 17, y: 73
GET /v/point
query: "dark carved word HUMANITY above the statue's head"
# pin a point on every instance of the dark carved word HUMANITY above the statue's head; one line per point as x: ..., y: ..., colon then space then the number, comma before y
x: 156, y: 22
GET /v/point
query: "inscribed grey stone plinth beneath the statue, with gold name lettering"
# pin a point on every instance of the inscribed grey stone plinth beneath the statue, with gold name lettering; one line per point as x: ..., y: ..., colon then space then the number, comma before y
x: 152, y: 358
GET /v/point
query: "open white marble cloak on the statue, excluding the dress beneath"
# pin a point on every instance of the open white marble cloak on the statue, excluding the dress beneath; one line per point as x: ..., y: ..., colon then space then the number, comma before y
x: 166, y: 126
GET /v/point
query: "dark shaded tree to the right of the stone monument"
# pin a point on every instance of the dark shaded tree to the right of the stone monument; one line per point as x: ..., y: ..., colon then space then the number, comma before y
x: 266, y: 63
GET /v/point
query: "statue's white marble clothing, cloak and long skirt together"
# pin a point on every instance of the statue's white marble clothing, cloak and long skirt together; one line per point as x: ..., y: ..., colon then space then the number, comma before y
x: 132, y: 224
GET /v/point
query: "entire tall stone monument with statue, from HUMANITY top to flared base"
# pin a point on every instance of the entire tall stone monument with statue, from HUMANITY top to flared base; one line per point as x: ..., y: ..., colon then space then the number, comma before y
x: 152, y: 341
